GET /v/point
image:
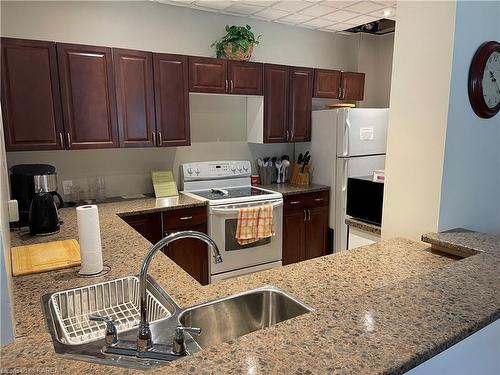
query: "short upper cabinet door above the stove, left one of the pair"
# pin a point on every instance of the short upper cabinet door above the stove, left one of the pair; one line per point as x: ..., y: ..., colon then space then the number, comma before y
x: 208, y: 75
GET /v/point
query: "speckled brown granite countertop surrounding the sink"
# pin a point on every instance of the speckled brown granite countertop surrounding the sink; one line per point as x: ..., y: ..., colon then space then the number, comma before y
x: 382, y: 308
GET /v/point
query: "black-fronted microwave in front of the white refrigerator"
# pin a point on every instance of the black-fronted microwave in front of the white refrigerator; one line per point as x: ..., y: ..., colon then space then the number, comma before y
x: 365, y: 199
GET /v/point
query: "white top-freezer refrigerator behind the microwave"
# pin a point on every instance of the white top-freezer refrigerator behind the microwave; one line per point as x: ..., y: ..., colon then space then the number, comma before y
x: 348, y: 142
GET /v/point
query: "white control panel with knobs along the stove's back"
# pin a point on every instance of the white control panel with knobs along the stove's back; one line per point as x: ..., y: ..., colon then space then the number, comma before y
x: 209, y: 170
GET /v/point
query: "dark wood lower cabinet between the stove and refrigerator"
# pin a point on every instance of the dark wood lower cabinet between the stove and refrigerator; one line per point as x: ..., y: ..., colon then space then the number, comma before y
x: 305, y: 226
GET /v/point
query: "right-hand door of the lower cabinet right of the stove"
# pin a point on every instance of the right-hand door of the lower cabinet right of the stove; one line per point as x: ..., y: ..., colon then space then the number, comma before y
x: 316, y: 232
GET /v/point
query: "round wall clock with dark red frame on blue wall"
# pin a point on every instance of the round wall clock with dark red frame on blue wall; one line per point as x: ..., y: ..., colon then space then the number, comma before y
x: 484, y: 80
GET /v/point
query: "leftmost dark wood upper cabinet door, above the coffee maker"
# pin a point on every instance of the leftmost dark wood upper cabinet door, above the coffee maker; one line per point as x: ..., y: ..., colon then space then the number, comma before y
x: 31, y: 104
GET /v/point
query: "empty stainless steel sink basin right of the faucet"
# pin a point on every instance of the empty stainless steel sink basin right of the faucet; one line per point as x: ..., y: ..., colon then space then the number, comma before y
x: 235, y: 316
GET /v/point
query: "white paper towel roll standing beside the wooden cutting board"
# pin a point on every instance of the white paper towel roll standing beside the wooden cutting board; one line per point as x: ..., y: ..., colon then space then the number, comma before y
x: 89, y: 237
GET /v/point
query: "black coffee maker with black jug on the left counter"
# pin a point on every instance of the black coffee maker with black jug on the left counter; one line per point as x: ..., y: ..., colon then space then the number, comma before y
x: 34, y: 186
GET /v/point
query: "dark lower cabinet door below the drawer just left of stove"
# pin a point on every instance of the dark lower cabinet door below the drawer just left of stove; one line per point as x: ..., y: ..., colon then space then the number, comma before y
x: 190, y: 254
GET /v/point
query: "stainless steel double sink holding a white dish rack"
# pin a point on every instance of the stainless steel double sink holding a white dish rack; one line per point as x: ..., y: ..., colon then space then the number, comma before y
x: 74, y: 336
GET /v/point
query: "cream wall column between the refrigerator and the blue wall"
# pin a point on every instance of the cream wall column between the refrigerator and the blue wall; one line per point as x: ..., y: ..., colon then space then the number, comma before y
x: 418, y: 118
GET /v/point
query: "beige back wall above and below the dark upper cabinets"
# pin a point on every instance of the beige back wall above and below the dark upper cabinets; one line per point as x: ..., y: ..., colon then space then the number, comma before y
x: 218, y: 123
